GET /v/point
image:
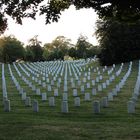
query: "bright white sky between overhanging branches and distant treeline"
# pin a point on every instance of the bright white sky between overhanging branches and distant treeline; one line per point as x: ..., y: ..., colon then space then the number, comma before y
x: 71, y: 24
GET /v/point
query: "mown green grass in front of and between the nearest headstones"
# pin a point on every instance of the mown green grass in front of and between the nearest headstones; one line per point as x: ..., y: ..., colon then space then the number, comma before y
x: 81, y: 123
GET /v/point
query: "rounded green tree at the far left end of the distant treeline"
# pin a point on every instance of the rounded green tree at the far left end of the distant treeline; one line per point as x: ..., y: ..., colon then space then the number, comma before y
x: 11, y: 49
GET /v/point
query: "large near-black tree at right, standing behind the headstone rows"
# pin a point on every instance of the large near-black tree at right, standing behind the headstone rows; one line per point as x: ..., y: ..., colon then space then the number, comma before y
x: 119, y: 42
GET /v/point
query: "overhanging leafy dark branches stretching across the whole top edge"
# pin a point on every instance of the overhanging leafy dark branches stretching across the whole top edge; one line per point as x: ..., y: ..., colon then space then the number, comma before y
x: 17, y: 9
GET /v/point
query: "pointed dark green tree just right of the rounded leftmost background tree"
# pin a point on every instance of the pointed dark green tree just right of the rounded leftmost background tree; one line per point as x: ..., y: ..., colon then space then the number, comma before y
x: 34, y: 51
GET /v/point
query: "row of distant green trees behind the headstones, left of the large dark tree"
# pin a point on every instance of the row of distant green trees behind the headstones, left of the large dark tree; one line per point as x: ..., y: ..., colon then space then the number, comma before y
x: 11, y: 49
